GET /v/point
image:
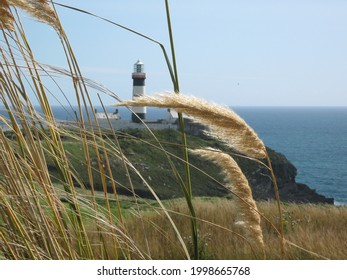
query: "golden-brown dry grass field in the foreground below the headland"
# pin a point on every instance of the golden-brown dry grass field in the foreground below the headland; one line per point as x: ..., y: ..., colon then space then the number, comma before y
x: 318, y: 231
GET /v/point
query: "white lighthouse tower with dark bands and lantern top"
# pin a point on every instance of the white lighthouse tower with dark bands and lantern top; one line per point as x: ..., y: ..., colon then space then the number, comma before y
x: 139, y: 77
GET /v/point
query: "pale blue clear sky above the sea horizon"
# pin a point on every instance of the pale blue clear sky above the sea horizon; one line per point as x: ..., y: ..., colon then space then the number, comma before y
x: 233, y: 52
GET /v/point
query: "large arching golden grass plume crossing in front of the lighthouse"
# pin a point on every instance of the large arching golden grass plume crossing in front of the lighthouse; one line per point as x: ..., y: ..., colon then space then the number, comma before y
x: 223, y: 123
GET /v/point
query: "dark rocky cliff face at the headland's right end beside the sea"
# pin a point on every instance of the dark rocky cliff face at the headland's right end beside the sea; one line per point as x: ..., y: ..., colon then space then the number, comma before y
x: 289, y: 189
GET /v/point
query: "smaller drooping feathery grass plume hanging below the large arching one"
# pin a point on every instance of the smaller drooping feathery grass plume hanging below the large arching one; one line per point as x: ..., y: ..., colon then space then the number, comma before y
x: 237, y: 183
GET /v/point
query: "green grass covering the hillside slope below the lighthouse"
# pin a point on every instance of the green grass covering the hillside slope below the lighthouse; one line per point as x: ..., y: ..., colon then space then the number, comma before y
x: 149, y: 159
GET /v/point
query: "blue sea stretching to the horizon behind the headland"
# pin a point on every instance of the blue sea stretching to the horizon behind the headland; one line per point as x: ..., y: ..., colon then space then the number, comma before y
x: 314, y: 139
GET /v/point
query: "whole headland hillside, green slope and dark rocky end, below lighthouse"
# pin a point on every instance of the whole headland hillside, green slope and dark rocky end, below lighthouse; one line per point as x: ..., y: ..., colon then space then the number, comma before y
x: 145, y: 154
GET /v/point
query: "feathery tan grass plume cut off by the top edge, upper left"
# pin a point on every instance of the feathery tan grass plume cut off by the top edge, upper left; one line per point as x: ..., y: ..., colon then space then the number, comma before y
x: 39, y: 9
